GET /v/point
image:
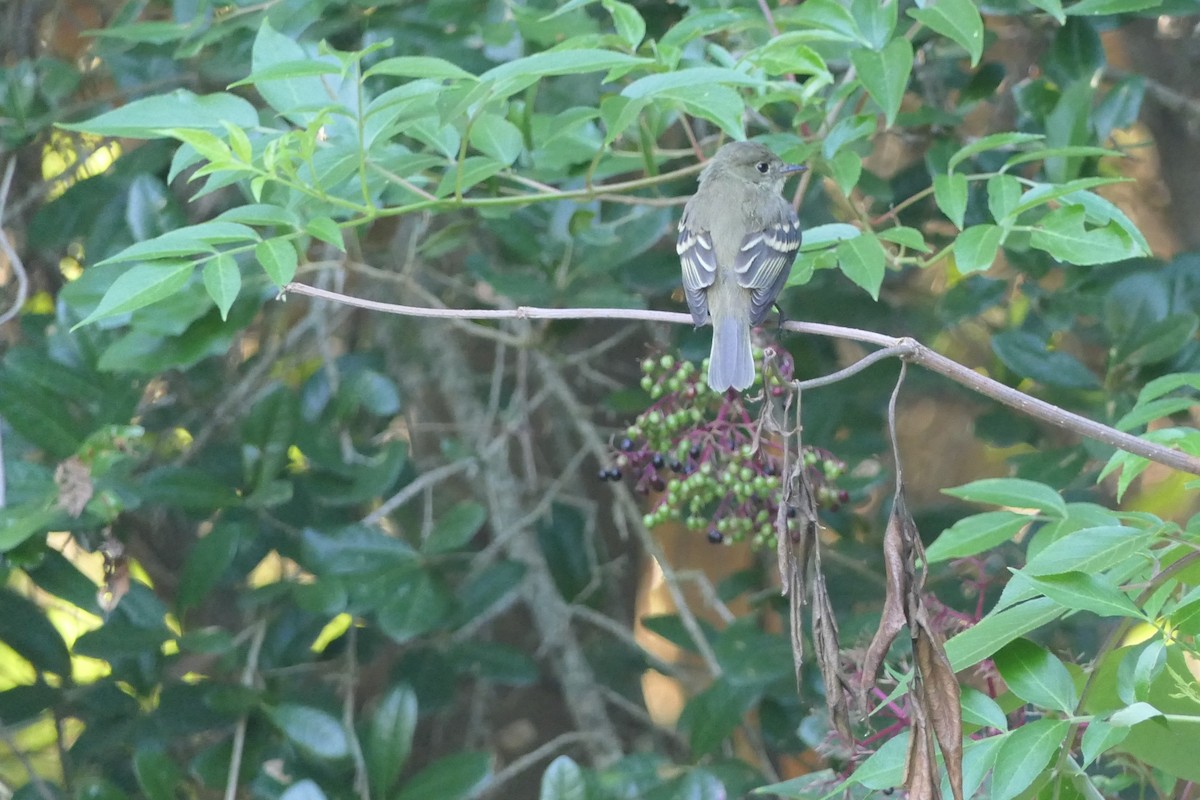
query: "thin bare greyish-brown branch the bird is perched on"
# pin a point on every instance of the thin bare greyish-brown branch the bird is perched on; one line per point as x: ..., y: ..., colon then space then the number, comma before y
x: 905, y: 348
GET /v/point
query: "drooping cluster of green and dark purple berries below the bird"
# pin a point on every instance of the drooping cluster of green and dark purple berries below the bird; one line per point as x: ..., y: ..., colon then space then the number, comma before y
x: 697, y: 450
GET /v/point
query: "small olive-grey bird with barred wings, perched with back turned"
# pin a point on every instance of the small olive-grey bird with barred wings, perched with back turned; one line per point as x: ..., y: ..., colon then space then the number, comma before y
x: 737, y: 242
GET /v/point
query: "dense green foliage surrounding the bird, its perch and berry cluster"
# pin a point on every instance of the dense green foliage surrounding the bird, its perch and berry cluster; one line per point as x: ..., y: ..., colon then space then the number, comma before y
x: 299, y: 550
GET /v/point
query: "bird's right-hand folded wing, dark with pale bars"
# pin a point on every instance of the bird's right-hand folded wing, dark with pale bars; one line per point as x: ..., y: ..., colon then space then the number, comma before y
x: 766, y: 257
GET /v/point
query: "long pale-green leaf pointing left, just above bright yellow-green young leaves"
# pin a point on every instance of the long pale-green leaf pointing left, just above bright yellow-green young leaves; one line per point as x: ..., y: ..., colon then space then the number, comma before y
x: 145, y: 119
